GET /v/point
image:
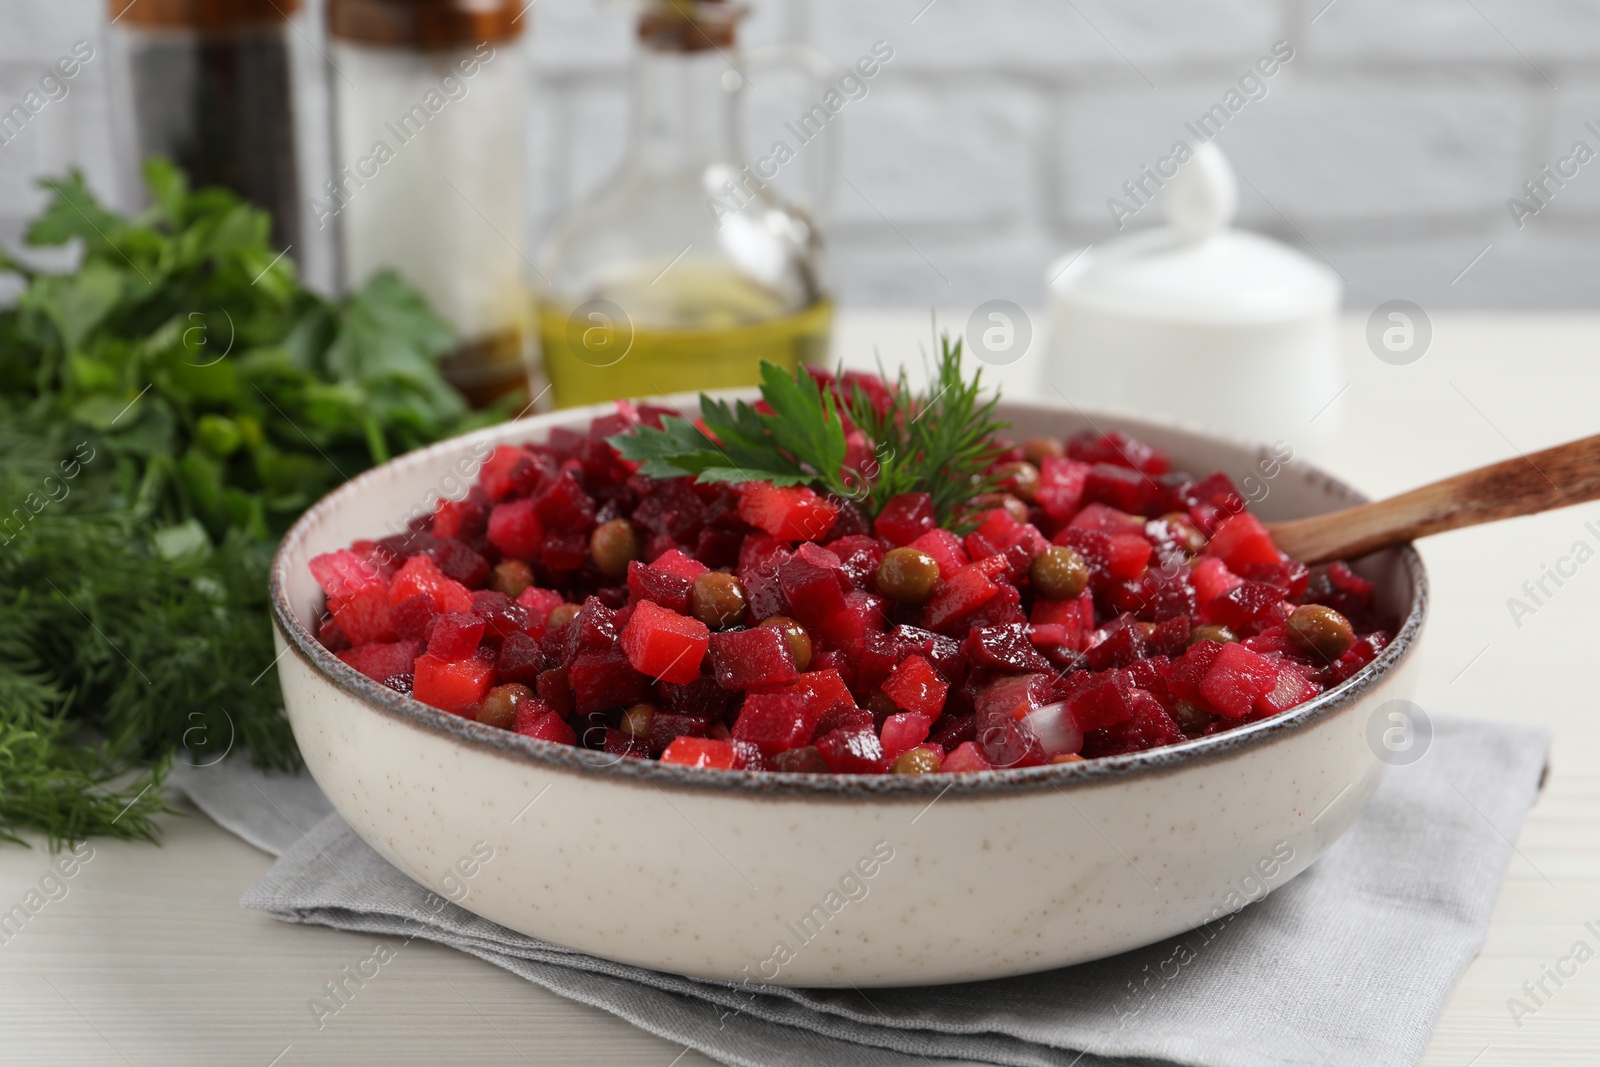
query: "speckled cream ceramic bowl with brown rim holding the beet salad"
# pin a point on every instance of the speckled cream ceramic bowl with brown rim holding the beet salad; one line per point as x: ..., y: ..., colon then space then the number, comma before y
x: 814, y: 879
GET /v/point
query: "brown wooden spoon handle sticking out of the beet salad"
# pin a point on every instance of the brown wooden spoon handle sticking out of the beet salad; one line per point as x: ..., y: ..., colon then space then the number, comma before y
x: 1540, y: 482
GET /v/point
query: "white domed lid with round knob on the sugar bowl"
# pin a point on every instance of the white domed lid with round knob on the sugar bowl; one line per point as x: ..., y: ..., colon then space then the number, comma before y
x: 1198, y: 268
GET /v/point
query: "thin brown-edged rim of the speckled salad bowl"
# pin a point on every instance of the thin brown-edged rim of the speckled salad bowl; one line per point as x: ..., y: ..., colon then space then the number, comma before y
x: 650, y: 773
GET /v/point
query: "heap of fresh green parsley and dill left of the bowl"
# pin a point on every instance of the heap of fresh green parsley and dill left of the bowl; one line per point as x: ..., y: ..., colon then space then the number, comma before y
x: 167, y: 410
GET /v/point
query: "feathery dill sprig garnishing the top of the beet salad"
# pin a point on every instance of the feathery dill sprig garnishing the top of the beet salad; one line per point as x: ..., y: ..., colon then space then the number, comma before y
x: 940, y: 444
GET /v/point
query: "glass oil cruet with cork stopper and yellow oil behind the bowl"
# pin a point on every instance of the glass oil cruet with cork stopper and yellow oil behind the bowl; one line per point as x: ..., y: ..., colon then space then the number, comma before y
x: 684, y: 271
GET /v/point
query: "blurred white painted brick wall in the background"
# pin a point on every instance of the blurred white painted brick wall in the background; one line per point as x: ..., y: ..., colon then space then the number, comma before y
x: 996, y: 135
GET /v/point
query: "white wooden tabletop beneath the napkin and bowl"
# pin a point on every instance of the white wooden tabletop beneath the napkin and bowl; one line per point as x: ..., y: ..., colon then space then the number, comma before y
x: 151, y: 961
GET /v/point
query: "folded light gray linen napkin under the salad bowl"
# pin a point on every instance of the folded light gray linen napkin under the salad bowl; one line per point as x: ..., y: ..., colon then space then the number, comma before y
x: 1350, y: 965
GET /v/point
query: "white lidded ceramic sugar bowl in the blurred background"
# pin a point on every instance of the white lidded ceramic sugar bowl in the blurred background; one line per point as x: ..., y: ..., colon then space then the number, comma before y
x: 1201, y: 322
